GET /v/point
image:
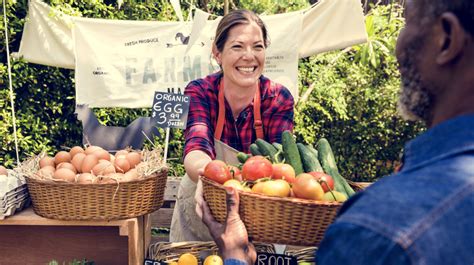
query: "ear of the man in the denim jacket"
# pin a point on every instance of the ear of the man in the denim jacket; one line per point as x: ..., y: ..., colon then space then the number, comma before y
x: 451, y: 38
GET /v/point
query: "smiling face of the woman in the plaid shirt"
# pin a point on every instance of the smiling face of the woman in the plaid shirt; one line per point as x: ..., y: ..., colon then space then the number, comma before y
x: 243, y: 56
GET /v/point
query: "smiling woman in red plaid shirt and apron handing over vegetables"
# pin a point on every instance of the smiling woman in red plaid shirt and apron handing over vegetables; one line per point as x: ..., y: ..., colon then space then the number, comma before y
x: 232, y: 107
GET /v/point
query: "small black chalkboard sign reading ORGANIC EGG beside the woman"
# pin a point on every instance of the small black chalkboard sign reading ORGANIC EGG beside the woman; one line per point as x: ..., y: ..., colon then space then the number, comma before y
x: 170, y: 110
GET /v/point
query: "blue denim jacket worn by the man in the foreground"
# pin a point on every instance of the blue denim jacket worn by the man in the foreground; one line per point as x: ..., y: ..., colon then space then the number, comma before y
x: 422, y: 215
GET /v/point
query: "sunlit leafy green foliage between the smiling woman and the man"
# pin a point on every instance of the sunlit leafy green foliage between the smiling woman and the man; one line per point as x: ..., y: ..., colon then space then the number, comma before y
x: 353, y: 101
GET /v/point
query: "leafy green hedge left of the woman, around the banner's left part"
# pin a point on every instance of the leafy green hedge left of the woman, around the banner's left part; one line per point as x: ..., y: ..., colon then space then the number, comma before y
x: 45, y: 97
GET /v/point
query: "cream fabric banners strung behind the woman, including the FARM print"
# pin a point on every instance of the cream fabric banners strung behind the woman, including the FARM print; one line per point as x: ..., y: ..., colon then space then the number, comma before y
x: 121, y: 63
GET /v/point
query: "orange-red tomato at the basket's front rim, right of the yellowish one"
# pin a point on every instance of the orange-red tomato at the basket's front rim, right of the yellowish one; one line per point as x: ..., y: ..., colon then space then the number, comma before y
x: 307, y: 187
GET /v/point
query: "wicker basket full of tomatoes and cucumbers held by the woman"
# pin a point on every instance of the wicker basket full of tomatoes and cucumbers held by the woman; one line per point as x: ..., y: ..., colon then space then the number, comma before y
x: 288, y: 203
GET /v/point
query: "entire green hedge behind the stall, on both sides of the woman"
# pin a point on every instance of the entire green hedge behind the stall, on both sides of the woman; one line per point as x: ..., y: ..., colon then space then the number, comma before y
x: 352, y: 103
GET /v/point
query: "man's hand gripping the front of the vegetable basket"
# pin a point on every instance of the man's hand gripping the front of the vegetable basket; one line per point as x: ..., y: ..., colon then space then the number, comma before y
x: 231, y: 237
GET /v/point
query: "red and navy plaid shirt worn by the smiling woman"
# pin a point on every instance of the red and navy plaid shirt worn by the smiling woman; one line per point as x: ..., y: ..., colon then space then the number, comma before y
x: 277, y: 116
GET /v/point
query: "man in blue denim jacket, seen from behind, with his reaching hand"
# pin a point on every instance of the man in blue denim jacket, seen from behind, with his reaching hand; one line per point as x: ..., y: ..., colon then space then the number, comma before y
x: 425, y: 213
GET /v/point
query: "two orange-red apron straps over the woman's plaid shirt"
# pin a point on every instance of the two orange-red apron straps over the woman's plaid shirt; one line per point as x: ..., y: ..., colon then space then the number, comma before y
x: 257, y: 117
